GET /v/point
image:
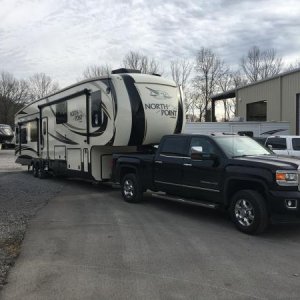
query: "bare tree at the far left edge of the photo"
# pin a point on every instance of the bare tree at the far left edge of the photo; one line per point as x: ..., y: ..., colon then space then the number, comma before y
x: 13, y: 95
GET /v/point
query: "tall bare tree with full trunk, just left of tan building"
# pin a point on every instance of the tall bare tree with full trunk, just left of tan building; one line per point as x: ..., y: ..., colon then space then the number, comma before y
x: 209, y: 69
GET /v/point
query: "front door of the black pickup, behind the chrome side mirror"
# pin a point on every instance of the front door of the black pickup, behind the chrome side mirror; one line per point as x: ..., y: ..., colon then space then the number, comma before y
x: 202, y: 178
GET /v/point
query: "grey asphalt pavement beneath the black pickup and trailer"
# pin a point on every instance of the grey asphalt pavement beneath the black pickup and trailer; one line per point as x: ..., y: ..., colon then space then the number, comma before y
x: 84, y: 242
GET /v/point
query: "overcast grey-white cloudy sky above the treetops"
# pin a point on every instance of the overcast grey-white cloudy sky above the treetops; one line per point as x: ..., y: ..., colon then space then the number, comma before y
x: 62, y: 37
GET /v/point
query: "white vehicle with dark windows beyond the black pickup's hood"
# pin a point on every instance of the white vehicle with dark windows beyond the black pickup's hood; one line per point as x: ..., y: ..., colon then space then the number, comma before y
x: 284, y: 144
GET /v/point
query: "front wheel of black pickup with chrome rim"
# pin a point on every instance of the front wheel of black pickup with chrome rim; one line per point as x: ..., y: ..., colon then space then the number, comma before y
x: 249, y: 212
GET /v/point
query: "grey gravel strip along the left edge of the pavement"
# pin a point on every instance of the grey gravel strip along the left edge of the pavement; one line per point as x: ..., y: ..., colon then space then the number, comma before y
x: 20, y: 198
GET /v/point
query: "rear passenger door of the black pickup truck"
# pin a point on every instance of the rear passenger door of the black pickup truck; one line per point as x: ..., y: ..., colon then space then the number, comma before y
x: 168, y: 172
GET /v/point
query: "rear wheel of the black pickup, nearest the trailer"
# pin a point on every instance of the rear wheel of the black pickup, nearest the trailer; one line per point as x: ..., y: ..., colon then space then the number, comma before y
x: 131, y: 189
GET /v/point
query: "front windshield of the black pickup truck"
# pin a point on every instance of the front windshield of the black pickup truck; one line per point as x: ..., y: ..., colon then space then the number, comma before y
x: 237, y: 146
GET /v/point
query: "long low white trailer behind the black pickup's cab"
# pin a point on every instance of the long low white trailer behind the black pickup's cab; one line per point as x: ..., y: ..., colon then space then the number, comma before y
x: 253, y: 129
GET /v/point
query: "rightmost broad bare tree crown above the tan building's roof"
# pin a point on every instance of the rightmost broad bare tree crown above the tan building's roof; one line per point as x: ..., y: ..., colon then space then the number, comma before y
x: 258, y: 64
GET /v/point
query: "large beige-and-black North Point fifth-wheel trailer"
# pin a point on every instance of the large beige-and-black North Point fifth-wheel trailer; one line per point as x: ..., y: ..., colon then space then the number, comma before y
x: 76, y: 130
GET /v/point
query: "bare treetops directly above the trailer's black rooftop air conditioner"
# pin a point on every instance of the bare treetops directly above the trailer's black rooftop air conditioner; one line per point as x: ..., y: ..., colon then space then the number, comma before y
x: 138, y: 61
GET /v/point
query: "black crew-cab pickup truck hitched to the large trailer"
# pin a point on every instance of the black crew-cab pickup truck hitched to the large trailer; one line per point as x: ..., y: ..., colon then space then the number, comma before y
x: 217, y: 171
